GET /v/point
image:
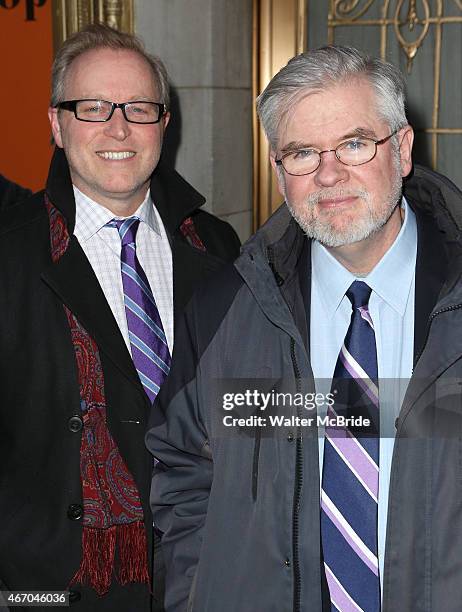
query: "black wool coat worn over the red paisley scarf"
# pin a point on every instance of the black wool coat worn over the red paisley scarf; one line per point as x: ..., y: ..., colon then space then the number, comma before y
x: 40, y: 540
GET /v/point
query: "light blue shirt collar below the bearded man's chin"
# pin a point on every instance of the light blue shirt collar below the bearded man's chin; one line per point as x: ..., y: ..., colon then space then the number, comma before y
x: 391, y: 279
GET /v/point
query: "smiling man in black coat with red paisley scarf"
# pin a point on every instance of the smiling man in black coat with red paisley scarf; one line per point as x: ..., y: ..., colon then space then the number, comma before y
x: 95, y: 271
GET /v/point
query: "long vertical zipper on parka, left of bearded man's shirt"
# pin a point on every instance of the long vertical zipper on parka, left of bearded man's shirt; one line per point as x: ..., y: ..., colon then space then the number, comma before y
x: 297, y: 488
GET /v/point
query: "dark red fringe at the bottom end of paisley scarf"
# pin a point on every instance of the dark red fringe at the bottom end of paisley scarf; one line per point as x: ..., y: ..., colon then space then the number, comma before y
x: 98, y: 556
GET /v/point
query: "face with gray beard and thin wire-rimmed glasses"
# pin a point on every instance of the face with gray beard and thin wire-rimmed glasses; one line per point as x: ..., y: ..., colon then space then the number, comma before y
x: 340, y: 205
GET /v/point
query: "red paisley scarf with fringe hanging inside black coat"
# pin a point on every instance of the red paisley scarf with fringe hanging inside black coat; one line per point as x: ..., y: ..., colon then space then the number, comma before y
x: 114, y: 538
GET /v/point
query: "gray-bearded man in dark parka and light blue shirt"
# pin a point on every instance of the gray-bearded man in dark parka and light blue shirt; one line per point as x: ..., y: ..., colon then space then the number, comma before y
x: 310, y: 446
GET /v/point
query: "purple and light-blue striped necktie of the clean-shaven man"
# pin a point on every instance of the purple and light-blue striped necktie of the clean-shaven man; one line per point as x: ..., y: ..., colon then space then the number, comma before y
x: 148, y: 343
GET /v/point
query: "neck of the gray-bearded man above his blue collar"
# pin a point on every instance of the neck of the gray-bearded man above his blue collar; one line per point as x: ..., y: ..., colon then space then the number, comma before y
x: 362, y: 257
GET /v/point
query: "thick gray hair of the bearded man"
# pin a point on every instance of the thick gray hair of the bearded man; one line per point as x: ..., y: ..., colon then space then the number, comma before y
x: 319, y: 69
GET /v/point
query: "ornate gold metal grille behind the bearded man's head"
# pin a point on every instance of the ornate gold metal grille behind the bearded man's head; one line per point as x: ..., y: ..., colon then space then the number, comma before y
x: 425, y: 36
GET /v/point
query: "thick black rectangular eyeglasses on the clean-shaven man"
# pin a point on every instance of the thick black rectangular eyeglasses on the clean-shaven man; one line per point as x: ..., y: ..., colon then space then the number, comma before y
x: 96, y: 111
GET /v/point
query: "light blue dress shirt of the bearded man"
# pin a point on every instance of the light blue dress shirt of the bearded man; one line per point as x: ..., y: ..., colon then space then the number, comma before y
x: 391, y: 307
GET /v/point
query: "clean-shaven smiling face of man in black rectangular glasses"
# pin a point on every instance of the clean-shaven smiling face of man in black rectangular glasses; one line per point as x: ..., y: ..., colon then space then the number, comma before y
x: 110, y: 162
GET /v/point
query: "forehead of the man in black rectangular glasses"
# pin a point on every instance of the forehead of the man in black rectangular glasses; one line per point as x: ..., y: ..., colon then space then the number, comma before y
x: 110, y: 73
